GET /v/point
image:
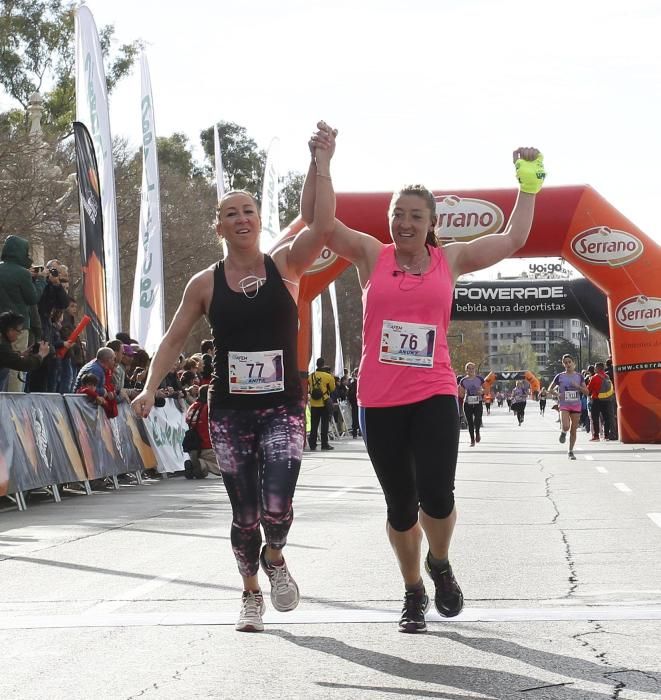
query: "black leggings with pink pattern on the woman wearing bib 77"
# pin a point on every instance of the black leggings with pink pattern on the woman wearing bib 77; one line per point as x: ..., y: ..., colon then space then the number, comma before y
x: 259, y: 454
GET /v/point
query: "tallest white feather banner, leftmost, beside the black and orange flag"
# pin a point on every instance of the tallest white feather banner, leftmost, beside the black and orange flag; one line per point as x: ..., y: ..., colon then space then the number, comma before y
x: 92, y: 110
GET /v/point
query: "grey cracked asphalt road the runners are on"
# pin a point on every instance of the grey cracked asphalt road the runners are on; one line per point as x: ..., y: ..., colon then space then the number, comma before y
x: 135, y: 593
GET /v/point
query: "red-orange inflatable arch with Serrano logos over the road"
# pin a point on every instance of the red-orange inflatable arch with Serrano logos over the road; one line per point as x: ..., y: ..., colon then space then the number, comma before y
x: 573, y: 222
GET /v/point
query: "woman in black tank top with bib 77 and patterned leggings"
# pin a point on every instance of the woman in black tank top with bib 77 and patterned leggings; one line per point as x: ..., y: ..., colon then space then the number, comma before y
x: 256, y: 407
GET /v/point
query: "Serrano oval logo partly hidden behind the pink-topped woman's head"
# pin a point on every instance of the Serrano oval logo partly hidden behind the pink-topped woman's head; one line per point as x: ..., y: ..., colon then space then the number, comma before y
x: 465, y: 219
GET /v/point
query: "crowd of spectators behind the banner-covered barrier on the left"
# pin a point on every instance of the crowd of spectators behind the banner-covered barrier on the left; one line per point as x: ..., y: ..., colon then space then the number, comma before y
x: 37, y: 318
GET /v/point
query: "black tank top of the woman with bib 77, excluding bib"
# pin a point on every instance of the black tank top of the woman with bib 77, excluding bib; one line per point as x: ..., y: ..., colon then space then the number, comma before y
x: 266, y: 322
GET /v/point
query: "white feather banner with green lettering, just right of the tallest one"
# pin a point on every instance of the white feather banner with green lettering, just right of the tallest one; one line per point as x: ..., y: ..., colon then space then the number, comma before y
x: 147, y: 307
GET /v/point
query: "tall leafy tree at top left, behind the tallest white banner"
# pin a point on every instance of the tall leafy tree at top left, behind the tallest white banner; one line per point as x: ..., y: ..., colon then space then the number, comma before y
x: 37, y: 47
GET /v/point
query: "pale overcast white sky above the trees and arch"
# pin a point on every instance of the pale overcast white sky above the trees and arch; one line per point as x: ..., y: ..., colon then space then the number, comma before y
x: 427, y: 91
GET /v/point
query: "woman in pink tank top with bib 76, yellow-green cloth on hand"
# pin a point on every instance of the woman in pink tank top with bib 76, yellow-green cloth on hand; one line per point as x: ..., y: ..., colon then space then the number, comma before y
x: 407, y: 388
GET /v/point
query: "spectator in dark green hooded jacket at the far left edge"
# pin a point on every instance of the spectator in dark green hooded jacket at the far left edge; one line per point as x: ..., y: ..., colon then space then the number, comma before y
x: 18, y: 294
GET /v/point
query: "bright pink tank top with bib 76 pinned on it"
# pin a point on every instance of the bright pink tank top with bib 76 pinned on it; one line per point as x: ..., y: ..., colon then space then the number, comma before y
x: 405, y: 320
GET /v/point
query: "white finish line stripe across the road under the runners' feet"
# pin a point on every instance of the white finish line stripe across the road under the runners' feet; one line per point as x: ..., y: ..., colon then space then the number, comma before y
x: 313, y: 617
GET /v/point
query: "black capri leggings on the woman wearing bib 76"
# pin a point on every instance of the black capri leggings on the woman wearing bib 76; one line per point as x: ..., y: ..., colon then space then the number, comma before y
x: 413, y: 449
